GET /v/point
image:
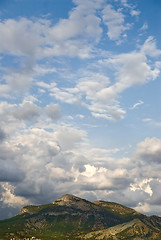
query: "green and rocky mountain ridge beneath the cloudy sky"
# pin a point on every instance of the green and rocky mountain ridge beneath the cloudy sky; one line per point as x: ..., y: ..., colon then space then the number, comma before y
x: 71, y: 217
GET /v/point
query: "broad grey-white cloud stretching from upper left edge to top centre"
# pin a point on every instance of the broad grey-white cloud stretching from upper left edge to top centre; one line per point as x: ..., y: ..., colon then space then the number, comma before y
x: 29, y: 38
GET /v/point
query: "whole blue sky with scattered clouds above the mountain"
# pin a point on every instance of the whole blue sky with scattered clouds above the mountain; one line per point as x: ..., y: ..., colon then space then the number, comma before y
x: 80, y: 102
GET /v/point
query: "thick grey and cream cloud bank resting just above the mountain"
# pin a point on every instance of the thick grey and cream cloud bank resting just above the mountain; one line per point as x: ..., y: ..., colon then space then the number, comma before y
x: 48, y: 163
